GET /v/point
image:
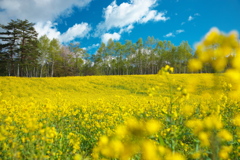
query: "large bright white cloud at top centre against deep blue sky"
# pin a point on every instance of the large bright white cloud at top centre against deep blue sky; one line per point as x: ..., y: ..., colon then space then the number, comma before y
x: 126, y: 14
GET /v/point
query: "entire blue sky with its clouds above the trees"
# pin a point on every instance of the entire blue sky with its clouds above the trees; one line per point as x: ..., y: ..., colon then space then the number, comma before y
x: 92, y: 22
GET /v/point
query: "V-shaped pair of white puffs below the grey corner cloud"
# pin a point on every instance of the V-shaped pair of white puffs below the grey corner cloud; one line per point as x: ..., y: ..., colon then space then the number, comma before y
x: 48, y: 28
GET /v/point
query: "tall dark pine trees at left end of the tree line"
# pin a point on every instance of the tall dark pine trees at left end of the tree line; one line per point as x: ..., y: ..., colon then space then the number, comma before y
x: 19, y: 48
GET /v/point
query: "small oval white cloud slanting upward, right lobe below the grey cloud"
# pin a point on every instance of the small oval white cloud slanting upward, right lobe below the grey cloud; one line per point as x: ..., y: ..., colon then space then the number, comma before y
x: 77, y: 31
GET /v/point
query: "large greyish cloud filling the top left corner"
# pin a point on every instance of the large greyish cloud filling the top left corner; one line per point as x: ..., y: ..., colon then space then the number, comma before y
x: 37, y: 10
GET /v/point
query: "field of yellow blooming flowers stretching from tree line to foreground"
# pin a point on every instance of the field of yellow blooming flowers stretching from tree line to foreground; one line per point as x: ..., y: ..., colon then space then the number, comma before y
x: 166, y: 116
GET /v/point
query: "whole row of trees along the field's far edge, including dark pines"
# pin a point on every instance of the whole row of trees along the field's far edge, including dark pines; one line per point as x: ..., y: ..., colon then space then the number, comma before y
x: 23, y: 54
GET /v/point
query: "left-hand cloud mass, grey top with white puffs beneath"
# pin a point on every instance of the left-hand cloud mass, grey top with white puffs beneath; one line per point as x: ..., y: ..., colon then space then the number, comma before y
x: 43, y: 12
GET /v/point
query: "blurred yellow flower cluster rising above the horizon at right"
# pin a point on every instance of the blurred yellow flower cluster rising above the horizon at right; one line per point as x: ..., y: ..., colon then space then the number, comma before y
x: 219, y: 50
